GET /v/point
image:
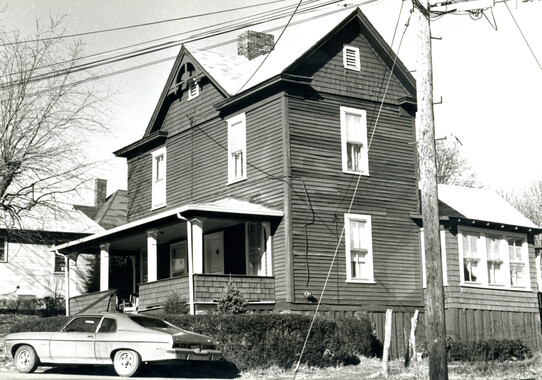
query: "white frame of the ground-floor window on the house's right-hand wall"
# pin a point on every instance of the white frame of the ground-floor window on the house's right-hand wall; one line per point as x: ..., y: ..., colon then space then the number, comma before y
x: 368, y: 246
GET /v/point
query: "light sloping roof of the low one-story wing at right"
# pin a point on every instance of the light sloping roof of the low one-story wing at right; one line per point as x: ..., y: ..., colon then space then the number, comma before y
x: 481, y: 205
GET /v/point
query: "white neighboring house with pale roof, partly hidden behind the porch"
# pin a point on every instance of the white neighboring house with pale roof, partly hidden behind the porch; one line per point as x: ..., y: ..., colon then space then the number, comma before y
x: 28, y: 268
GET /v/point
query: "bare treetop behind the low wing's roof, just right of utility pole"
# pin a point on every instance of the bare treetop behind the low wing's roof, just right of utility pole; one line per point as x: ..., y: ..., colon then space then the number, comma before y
x: 452, y: 167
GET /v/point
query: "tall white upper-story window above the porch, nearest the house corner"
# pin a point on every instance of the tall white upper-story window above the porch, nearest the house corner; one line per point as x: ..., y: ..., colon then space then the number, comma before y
x: 237, y: 162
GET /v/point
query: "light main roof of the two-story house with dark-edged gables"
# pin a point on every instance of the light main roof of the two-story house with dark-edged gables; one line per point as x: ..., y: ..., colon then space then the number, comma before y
x: 234, y: 75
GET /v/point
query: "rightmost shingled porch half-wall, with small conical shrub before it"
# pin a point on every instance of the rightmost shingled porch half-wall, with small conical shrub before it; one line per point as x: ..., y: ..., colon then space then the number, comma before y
x: 210, y: 288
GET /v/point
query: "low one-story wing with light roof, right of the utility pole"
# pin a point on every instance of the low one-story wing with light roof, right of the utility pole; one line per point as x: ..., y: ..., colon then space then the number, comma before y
x: 490, y: 271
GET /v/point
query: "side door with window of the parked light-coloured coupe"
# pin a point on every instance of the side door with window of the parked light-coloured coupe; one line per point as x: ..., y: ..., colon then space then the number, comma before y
x: 75, y: 343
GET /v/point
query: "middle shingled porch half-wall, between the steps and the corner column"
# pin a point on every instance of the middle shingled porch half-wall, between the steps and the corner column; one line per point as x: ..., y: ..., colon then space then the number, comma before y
x: 156, y: 293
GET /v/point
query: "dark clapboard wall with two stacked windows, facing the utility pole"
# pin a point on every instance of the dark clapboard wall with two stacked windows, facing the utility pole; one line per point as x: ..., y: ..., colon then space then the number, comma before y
x: 389, y: 195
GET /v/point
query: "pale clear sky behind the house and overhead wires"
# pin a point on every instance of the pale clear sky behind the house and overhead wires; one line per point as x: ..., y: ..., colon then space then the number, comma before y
x: 484, y: 72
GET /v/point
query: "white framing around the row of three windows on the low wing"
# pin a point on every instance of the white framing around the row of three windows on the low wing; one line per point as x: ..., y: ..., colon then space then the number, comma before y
x: 504, y: 255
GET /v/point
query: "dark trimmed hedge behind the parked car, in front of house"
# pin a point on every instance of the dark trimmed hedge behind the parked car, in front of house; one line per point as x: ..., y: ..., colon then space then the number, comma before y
x: 264, y: 340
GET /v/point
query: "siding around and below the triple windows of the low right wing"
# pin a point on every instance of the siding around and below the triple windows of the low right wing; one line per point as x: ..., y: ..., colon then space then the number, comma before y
x: 479, y: 298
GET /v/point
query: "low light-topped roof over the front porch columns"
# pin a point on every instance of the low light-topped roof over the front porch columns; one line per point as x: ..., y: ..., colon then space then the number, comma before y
x: 227, y: 207
